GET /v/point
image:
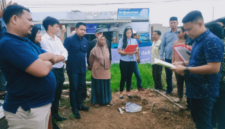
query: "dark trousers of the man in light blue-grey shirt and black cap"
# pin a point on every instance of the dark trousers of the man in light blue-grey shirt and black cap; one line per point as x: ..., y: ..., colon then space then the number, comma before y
x: 169, y: 74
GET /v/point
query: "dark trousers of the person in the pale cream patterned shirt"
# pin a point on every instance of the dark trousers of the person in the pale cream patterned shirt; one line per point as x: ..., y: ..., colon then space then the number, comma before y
x: 157, y: 72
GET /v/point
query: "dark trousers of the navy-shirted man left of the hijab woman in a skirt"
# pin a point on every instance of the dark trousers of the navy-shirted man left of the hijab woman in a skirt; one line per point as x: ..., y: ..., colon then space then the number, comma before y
x: 77, y: 83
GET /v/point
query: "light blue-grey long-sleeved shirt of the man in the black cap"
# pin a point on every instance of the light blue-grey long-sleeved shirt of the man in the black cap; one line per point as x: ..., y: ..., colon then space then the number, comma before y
x: 168, y: 39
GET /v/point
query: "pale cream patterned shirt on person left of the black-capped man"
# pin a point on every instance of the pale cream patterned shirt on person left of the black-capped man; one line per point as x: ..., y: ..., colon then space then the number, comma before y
x: 155, y: 51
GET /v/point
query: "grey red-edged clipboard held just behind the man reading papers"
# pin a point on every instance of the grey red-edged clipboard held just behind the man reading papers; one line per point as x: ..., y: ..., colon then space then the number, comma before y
x: 181, y: 50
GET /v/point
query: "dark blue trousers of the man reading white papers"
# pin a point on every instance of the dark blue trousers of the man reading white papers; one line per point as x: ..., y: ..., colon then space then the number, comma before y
x: 201, y: 112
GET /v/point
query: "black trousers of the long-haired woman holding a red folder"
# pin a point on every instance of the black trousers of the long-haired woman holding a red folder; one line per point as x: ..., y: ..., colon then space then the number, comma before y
x: 126, y: 70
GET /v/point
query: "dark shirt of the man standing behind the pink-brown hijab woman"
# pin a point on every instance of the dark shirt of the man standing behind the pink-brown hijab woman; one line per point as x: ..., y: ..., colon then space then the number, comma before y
x: 92, y: 44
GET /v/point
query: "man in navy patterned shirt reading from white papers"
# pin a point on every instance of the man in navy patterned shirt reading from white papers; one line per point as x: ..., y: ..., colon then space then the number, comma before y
x: 203, y: 69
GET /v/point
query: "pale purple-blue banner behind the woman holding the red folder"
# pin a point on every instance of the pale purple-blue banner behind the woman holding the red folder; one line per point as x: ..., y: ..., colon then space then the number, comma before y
x: 144, y: 51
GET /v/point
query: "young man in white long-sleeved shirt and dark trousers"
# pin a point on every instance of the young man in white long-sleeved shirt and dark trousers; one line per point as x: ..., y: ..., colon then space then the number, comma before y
x: 51, y: 43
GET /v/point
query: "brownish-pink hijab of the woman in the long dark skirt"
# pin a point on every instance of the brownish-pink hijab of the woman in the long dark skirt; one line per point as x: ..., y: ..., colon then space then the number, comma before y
x: 102, y: 53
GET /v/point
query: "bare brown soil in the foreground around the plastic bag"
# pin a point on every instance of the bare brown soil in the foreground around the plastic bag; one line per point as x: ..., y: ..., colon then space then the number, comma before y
x: 165, y: 114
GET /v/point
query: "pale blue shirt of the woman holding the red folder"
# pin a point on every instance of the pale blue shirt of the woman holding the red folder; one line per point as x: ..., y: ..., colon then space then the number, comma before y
x: 127, y: 58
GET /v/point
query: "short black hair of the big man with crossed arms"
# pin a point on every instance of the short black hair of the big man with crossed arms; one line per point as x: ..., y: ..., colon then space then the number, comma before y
x: 13, y: 10
